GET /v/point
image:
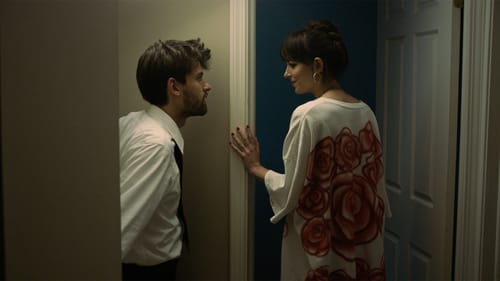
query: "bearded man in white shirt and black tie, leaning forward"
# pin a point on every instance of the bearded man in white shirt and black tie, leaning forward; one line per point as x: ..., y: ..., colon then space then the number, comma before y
x: 170, y: 78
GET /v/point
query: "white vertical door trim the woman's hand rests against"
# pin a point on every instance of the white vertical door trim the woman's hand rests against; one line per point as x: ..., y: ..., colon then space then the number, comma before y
x: 241, y: 112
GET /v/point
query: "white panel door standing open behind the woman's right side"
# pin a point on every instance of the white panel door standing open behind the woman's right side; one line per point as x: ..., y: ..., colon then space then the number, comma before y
x: 417, y: 100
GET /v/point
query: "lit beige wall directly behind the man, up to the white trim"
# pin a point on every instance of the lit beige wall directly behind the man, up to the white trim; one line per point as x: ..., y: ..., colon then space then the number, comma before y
x: 206, y: 150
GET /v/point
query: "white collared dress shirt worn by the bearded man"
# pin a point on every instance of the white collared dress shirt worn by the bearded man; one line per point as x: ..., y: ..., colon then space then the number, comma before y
x: 149, y: 187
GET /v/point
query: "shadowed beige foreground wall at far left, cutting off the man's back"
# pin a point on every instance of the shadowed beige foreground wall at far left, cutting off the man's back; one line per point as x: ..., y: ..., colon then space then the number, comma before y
x: 59, y: 107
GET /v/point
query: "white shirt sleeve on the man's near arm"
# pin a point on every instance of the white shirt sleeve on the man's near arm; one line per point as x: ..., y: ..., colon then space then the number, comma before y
x: 150, y: 172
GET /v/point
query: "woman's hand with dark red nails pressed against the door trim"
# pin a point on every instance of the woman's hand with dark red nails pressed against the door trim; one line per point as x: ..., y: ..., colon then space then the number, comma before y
x: 246, y: 145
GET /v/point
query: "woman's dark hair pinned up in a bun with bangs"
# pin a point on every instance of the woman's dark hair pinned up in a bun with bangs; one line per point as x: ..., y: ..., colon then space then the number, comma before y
x: 319, y: 38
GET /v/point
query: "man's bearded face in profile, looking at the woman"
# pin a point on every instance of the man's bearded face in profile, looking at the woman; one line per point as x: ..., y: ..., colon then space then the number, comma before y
x: 195, y: 93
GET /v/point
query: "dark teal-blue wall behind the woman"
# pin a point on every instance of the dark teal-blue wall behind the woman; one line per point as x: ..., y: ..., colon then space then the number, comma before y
x: 275, y: 98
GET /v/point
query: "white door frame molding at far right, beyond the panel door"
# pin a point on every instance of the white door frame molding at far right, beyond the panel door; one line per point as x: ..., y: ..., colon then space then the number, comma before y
x: 477, y: 41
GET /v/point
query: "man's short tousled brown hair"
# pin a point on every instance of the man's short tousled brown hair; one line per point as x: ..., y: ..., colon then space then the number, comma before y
x: 165, y: 59
